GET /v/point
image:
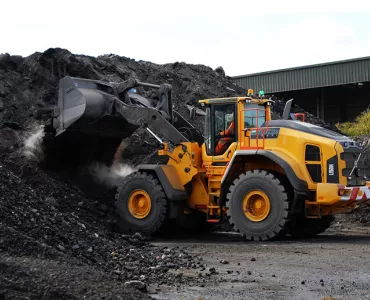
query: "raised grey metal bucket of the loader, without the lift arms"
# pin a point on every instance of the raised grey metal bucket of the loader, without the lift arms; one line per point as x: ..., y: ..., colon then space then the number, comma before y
x: 88, y: 106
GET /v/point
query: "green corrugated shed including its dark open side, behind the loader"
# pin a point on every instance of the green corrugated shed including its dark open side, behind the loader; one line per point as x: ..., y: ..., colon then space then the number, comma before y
x: 334, y: 91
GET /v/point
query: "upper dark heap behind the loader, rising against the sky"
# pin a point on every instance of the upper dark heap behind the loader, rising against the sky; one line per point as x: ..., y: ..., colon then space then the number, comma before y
x: 31, y: 83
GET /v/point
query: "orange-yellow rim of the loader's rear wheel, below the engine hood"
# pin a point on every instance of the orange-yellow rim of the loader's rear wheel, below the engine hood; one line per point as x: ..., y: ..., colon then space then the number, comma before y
x: 256, y: 205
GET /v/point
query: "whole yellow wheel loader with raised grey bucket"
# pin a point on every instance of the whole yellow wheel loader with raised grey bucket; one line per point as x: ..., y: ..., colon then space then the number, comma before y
x: 267, y: 177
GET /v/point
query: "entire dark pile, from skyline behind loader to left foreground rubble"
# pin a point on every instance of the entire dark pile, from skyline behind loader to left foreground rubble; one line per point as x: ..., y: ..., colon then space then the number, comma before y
x: 57, y: 239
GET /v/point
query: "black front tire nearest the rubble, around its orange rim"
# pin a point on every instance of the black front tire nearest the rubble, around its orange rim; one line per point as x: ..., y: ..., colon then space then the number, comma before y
x: 148, y: 225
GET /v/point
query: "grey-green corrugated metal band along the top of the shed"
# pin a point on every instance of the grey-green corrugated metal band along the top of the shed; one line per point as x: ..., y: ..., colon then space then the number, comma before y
x: 323, y: 75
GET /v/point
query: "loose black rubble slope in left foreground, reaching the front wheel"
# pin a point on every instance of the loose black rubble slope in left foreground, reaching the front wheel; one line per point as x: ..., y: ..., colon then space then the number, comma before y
x: 50, y: 223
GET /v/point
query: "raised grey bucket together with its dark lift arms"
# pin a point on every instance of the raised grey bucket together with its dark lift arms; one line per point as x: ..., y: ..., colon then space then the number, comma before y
x: 110, y: 110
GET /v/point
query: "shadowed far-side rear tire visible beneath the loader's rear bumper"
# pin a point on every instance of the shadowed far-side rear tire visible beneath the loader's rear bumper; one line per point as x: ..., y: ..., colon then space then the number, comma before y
x: 302, y: 227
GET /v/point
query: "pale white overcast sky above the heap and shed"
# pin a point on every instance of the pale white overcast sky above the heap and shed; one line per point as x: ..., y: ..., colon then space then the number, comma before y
x: 242, y: 36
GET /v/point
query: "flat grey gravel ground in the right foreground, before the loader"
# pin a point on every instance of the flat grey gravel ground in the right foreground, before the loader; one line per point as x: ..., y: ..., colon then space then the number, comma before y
x: 334, y: 265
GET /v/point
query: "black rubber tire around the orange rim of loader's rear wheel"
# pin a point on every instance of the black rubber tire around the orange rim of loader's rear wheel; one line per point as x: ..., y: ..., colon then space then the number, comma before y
x: 275, y: 223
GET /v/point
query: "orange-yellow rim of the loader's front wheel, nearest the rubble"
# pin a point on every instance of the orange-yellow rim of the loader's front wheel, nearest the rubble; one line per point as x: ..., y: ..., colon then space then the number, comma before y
x: 139, y: 204
